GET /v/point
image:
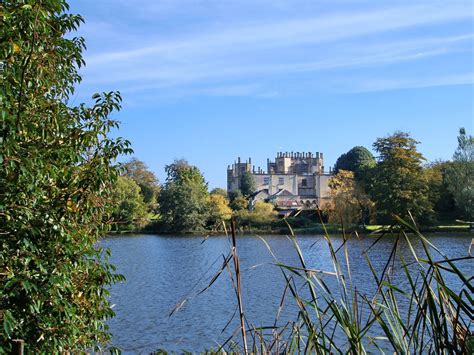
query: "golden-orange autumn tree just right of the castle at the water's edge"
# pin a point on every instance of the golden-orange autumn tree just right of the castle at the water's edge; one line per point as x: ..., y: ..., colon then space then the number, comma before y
x: 349, y: 203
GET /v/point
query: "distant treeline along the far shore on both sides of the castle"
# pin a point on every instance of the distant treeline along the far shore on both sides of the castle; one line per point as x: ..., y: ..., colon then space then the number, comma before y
x: 364, y: 190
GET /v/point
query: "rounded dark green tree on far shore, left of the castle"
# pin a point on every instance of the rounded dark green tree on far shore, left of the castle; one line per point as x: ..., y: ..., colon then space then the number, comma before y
x: 183, y: 200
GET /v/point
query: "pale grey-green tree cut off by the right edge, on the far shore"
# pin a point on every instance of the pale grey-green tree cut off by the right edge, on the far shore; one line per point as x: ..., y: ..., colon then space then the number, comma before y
x: 460, y: 174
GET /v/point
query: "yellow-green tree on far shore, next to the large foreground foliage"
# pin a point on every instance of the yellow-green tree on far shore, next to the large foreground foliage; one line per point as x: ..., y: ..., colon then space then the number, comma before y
x: 130, y: 211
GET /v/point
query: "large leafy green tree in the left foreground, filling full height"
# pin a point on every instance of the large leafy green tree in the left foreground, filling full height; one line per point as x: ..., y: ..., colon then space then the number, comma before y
x: 57, y: 172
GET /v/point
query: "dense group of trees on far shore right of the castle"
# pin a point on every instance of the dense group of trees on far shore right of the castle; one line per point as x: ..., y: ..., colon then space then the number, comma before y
x: 400, y: 183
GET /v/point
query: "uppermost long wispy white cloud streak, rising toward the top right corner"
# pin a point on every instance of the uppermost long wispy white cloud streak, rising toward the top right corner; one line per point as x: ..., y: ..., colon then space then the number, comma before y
x: 291, y: 33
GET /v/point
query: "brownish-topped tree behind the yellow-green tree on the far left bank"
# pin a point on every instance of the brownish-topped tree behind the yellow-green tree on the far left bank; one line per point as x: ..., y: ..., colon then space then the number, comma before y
x: 148, y: 182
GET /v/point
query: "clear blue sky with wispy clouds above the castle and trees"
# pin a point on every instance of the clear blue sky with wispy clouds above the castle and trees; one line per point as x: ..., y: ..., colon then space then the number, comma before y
x: 212, y: 80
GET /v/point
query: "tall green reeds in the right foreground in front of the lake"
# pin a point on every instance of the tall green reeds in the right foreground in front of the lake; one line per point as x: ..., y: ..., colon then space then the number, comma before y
x: 337, y: 317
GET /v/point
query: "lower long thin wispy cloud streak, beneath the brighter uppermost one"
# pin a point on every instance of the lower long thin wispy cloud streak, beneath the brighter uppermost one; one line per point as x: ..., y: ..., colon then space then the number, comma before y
x: 162, y: 73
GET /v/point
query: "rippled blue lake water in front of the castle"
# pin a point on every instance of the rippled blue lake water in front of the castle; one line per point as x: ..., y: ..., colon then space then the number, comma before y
x: 162, y: 271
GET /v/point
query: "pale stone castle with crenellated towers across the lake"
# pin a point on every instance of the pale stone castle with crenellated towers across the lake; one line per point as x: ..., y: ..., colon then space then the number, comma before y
x: 291, y: 181
